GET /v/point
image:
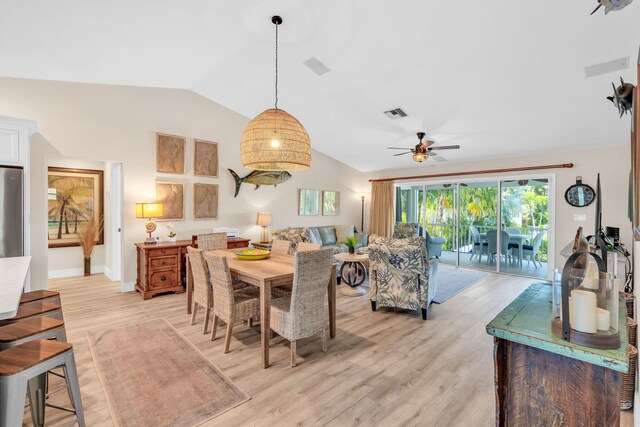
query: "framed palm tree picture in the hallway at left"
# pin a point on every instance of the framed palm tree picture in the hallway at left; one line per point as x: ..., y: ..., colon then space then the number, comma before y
x: 74, y: 196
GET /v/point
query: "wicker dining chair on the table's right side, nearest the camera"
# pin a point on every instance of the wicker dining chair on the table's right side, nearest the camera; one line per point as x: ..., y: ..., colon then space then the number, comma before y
x: 302, y: 313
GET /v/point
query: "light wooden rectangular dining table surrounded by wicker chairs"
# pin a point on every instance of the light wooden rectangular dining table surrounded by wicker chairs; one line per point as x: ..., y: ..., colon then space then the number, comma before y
x: 277, y: 270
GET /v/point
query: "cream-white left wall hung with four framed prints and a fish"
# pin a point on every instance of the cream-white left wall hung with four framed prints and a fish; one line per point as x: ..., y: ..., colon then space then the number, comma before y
x: 118, y: 123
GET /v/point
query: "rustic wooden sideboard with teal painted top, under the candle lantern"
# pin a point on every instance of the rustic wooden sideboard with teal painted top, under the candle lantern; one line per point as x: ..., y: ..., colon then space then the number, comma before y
x: 544, y: 380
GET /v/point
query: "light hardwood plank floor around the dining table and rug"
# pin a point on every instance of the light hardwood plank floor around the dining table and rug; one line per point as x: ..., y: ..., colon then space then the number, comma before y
x: 382, y: 368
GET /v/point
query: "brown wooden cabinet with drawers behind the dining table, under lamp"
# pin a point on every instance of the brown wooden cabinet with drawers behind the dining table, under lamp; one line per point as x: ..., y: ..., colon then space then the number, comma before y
x: 162, y: 266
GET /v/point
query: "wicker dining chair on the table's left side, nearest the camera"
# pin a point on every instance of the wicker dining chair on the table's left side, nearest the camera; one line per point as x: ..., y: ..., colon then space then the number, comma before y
x: 230, y: 304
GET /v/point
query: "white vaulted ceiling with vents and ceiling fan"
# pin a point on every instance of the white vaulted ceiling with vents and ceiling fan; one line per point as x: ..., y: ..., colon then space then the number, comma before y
x: 500, y: 78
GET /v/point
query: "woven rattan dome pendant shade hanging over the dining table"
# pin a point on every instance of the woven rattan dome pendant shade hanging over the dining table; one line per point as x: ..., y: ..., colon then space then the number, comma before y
x: 275, y: 141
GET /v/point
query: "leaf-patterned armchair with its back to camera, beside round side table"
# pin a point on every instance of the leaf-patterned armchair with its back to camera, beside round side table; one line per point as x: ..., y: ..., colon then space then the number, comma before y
x: 400, y: 274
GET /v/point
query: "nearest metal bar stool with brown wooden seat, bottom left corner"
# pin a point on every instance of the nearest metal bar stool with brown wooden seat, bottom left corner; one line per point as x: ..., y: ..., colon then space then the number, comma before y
x: 28, y: 363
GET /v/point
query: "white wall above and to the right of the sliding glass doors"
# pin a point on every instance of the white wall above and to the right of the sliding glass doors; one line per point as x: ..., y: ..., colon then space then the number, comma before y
x: 613, y: 163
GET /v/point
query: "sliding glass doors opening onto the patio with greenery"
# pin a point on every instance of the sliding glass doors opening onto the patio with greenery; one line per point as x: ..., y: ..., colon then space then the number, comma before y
x: 494, y: 225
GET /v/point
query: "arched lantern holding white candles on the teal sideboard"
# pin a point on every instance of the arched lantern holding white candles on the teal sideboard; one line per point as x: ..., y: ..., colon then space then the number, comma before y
x: 588, y: 313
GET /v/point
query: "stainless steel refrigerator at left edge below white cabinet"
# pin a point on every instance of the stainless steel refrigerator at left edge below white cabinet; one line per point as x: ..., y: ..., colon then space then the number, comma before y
x: 11, y: 212
